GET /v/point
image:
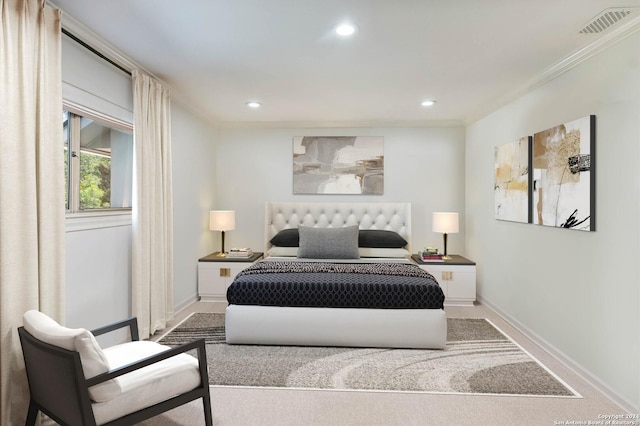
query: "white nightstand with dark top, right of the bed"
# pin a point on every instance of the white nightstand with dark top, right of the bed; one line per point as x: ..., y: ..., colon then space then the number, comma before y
x: 456, y: 276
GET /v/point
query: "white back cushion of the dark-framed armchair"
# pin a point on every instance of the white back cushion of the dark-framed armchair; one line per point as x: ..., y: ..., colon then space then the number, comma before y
x: 92, y: 357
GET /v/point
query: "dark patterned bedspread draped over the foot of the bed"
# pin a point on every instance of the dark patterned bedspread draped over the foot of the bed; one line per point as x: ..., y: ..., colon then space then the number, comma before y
x: 336, y: 285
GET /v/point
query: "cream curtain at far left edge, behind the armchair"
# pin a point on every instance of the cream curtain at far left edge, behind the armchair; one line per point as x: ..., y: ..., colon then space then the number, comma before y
x: 32, y: 211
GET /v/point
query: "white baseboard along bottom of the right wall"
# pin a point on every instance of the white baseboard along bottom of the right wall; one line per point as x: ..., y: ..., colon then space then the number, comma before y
x: 571, y: 364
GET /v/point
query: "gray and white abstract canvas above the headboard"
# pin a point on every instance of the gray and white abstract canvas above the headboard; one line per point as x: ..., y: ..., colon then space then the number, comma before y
x: 338, y: 165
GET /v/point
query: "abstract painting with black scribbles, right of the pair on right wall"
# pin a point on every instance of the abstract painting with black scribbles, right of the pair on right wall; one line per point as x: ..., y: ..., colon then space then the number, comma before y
x: 564, y: 175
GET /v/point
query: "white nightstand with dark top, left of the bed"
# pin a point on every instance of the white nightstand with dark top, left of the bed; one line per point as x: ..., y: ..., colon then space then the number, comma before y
x: 216, y: 273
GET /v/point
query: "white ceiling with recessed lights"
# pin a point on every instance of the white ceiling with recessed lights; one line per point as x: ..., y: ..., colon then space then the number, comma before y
x: 469, y: 55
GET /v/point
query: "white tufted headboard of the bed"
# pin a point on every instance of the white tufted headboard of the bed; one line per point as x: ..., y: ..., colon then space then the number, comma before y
x: 386, y: 216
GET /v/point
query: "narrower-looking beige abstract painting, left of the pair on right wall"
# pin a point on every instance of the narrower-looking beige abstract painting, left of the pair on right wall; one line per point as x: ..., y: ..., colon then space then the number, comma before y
x: 512, y: 181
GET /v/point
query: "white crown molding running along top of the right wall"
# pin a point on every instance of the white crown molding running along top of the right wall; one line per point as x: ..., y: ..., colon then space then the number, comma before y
x: 612, y: 37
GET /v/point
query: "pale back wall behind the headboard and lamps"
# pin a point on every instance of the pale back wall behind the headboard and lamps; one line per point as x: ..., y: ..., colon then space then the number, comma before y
x: 423, y: 166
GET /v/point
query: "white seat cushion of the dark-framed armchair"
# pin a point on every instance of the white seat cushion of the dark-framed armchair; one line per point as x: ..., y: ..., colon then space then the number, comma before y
x: 146, y: 386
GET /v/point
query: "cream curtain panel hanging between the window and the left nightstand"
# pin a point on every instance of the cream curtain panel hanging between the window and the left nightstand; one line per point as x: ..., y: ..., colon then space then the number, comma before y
x: 152, y: 263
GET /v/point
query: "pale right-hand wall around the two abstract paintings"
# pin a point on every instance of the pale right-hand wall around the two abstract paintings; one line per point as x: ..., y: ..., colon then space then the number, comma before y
x: 576, y: 291
